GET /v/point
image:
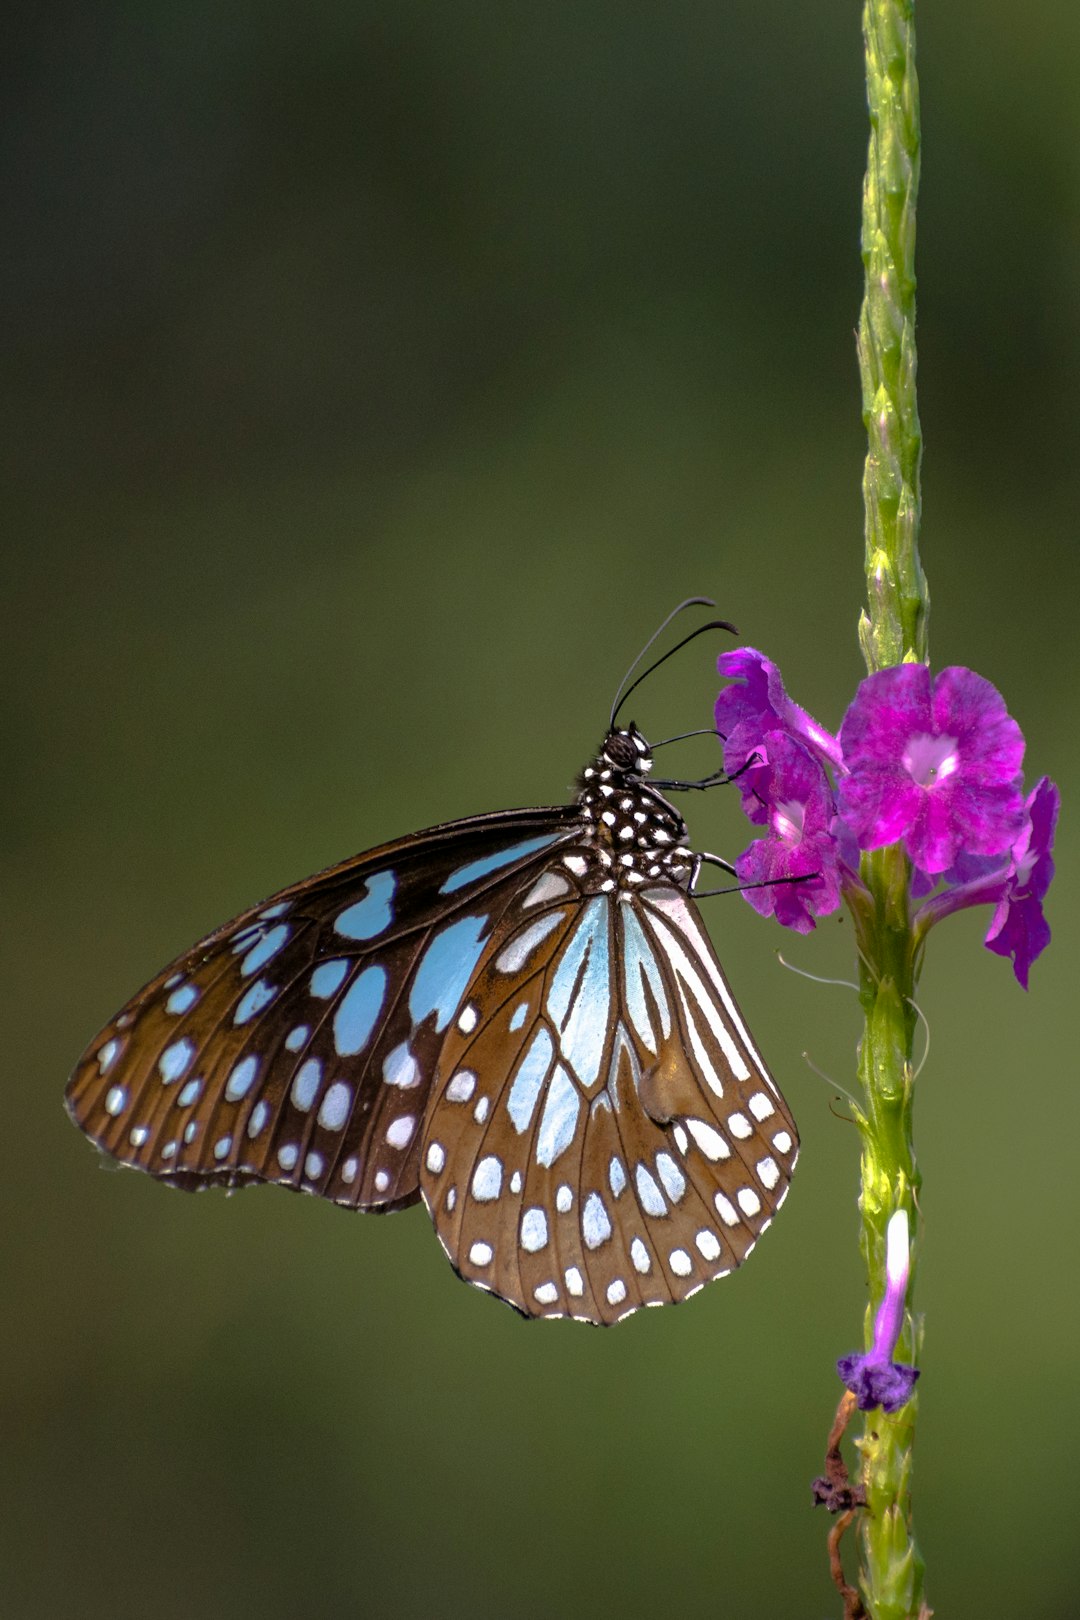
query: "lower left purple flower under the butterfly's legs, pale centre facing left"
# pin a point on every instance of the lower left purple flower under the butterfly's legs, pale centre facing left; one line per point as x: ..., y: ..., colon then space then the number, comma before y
x: 801, y: 842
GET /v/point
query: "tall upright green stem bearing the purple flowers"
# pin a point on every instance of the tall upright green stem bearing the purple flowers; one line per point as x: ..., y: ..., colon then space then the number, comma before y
x: 893, y: 629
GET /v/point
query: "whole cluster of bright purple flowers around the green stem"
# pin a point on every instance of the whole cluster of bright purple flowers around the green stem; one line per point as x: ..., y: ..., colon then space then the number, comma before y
x: 932, y: 762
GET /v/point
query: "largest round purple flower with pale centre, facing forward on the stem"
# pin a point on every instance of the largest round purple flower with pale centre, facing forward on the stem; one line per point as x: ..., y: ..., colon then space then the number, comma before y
x: 933, y: 764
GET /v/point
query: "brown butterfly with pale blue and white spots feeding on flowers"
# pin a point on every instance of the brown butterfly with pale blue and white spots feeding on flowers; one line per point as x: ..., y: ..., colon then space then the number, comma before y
x: 517, y: 1018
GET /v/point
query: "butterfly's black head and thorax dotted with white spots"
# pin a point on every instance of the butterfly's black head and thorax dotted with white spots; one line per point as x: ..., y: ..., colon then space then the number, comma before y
x: 636, y: 833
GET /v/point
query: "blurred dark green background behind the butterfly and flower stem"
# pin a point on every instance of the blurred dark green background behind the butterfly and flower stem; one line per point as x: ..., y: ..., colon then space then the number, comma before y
x: 375, y: 380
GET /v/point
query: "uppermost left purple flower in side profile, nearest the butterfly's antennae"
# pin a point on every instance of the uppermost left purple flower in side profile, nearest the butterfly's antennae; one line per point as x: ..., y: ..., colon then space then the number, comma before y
x: 752, y: 707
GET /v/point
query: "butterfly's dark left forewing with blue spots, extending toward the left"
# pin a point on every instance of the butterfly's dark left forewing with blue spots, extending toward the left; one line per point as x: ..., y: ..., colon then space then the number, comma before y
x: 299, y: 1042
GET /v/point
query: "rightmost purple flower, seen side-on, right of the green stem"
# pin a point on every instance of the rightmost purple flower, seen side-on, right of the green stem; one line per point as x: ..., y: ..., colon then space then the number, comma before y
x: 1014, y: 889
